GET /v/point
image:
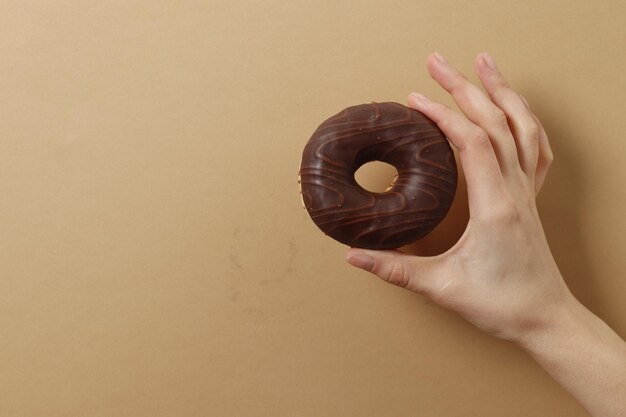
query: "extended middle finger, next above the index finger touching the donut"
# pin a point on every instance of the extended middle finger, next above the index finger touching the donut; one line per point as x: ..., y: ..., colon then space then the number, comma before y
x: 479, y: 109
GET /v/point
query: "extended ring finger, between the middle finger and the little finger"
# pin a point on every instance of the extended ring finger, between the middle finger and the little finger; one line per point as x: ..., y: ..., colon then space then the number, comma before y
x: 523, y: 125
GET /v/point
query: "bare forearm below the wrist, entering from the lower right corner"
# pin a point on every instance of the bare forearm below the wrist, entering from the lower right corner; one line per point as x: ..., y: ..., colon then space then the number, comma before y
x: 584, y: 356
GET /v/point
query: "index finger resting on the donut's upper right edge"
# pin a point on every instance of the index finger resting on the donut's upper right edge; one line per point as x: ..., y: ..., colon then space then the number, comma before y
x: 485, y: 183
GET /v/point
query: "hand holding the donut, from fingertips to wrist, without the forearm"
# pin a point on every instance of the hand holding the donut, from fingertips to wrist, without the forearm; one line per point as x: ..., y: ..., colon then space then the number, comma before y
x: 500, y: 275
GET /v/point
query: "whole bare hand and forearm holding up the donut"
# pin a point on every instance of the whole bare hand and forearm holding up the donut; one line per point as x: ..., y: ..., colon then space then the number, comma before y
x: 501, y: 275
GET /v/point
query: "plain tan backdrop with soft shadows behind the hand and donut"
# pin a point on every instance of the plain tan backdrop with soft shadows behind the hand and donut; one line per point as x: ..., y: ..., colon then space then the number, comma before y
x: 154, y: 256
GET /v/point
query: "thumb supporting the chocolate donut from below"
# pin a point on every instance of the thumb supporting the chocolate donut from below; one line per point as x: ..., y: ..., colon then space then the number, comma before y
x: 407, y: 271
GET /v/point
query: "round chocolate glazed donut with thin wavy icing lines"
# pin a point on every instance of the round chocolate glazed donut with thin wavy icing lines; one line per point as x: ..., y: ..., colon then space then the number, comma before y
x: 418, y: 199
